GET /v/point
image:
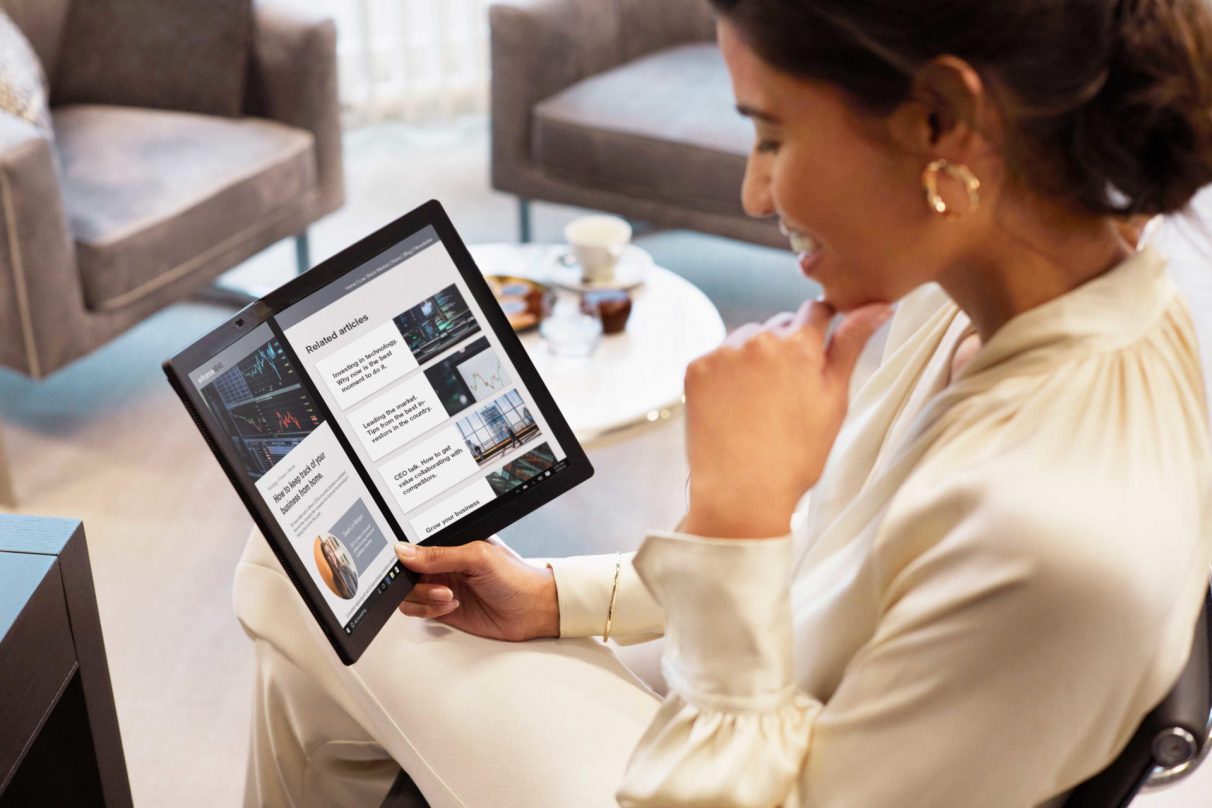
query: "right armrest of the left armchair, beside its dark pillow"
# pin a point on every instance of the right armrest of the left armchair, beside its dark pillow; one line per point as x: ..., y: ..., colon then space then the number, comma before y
x: 294, y: 81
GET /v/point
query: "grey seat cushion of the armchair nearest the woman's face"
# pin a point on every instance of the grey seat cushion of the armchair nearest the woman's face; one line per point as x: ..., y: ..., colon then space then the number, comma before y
x: 662, y: 127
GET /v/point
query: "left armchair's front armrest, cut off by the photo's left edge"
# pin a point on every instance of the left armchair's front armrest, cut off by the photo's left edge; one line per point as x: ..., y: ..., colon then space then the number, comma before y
x: 41, y: 286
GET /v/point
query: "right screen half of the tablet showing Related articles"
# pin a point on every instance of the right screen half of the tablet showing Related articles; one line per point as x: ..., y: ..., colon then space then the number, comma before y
x: 421, y: 387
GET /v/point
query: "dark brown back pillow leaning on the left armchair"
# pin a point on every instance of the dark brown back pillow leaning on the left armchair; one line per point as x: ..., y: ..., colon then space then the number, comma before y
x: 185, y: 55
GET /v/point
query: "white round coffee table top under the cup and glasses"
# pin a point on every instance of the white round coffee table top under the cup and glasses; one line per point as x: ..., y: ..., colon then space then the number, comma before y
x: 633, y: 376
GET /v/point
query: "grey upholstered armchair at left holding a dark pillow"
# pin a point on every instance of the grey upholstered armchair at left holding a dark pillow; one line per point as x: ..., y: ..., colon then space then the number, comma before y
x: 129, y: 210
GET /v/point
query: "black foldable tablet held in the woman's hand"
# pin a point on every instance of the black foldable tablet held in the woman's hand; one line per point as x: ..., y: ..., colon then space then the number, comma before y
x: 381, y: 397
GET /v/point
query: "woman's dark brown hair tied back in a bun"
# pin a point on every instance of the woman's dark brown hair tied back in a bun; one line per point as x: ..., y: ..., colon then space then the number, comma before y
x: 1107, y: 102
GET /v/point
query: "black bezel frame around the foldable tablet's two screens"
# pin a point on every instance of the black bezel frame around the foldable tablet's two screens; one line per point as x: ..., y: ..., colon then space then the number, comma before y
x: 350, y: 647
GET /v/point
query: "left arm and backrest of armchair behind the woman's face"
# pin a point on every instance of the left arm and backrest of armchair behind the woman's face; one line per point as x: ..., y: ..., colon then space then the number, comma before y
x: 544, y: 47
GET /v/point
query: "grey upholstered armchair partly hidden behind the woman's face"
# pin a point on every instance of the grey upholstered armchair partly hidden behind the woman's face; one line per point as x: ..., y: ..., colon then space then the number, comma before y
x: 621, y: 106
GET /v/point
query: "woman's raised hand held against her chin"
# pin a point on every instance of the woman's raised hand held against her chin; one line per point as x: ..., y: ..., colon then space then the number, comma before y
x: 763, y: 412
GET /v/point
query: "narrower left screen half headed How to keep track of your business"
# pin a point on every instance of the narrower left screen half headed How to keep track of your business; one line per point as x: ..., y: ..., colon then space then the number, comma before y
x: 287, y: 450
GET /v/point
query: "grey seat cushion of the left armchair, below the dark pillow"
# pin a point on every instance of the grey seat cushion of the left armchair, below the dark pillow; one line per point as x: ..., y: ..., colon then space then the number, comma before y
x: 151, y: 194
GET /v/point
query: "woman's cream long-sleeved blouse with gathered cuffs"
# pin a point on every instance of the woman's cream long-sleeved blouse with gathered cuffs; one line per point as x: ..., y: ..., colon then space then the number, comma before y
x: 998, y: 577
